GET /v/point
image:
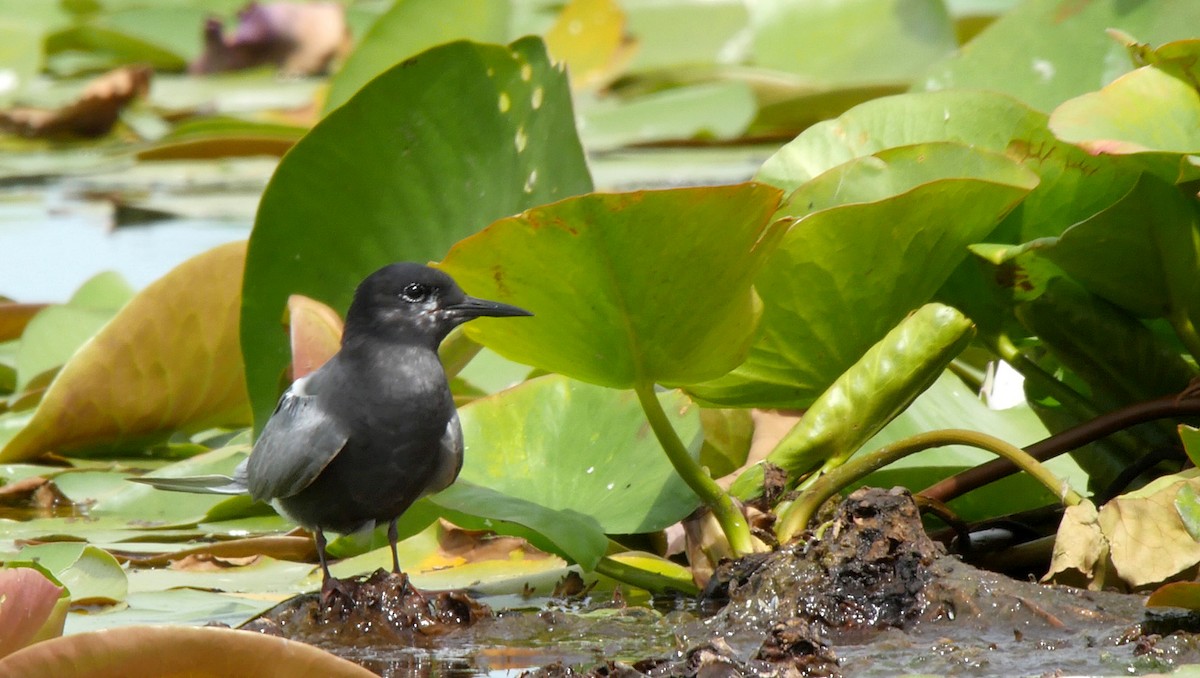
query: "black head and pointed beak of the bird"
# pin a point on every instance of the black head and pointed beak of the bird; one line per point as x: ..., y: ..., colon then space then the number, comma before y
x: 416, y: 304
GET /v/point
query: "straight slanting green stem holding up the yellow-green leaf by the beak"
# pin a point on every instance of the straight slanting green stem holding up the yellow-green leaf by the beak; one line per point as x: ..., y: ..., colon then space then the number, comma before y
x: 730, y: 518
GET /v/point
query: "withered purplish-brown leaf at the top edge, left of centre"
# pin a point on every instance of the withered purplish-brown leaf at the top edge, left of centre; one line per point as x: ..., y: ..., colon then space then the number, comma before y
x: 299, y: 39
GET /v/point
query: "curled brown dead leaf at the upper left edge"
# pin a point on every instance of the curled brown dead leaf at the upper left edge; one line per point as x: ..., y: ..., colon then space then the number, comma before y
x: 92, y: 116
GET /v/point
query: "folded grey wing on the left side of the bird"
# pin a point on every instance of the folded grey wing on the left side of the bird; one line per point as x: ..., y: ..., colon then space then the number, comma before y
x: 298, y: 443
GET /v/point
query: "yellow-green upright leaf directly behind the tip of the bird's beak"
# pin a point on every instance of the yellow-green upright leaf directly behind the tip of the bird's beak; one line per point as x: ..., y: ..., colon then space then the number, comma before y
x: 646, y: 287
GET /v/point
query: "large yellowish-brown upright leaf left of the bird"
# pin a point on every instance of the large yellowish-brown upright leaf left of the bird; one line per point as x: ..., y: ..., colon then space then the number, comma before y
x: 171, y: 359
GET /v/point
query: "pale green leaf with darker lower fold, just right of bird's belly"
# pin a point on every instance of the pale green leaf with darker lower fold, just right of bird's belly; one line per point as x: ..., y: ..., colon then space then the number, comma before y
x: 572, y: 463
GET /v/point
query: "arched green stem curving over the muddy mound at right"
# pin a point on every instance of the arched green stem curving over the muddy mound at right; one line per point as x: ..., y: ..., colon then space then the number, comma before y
x: 800, y: 514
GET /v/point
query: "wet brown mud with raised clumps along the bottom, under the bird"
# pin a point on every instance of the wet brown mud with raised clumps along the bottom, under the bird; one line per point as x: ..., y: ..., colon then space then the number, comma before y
x: 869, y: 596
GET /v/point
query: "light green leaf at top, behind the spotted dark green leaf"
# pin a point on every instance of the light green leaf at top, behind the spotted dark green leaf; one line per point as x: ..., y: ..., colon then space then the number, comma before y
x: 411, y: 27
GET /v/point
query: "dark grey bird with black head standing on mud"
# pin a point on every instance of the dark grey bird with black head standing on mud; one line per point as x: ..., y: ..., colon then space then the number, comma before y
x: 374, y: 429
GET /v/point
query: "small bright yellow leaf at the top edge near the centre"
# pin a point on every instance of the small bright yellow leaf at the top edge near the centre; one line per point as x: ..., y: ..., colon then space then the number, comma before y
x: 590, y: 37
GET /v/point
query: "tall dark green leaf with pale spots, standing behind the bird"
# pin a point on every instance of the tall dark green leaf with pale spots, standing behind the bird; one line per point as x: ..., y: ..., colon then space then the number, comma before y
x: 425, y: 155
